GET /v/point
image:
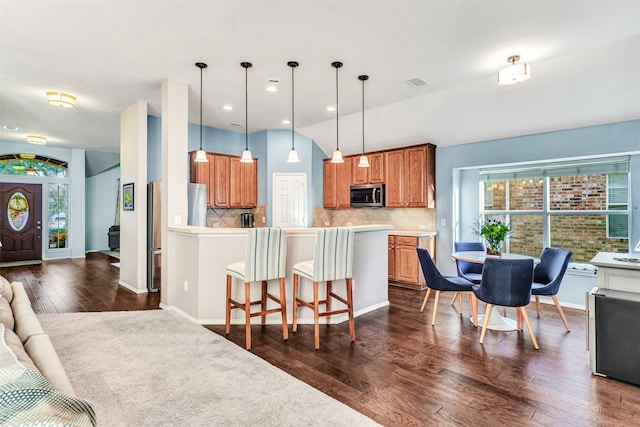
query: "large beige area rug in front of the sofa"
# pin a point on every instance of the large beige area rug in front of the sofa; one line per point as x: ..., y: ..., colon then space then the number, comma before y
x: 156, y: 368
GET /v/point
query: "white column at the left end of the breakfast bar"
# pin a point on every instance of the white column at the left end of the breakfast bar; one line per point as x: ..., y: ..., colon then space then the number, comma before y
x: 175, y: 169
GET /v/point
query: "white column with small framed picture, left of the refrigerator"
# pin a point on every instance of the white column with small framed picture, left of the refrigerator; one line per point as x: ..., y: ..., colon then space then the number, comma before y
x: 133, y: 223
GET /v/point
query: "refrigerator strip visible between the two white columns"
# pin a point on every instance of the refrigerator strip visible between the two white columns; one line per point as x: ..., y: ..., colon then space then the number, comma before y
x: 154, y: 236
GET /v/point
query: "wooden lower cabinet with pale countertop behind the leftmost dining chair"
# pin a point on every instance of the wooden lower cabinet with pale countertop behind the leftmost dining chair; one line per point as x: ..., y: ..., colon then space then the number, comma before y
x: 404, y: 267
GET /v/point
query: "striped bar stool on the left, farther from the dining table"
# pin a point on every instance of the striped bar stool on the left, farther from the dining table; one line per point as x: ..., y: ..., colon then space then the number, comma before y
x: 265, y: 259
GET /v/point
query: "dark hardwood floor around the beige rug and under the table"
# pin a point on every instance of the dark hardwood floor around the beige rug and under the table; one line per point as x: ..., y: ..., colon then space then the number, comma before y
x: 400, y: 371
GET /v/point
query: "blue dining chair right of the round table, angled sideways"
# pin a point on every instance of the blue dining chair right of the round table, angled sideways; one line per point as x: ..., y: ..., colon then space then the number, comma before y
x: 547, y: 277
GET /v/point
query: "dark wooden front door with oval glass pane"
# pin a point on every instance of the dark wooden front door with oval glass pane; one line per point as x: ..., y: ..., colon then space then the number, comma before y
x: 21, y: 222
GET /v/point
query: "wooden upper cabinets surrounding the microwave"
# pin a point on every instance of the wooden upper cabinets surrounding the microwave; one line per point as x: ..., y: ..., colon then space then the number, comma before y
x: 408, y: 174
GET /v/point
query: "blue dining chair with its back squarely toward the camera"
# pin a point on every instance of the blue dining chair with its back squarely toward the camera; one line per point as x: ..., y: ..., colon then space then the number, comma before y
x: 506, y: 283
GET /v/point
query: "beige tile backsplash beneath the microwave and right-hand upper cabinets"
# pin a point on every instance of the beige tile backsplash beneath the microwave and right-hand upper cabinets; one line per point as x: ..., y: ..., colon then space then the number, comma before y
x: 402, y: 219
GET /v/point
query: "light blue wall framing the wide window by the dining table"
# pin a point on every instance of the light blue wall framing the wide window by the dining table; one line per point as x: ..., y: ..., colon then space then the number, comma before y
x: 607, y: 139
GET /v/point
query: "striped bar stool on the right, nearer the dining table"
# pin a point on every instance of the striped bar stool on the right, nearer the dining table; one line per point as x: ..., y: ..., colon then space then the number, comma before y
x: 333, y: 260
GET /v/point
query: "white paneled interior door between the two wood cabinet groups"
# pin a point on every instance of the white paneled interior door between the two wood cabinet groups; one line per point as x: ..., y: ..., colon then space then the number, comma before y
x: 289, y: 200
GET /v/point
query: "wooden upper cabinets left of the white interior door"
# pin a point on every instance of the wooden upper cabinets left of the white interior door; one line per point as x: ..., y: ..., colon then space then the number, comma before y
x: 230, y: 183
